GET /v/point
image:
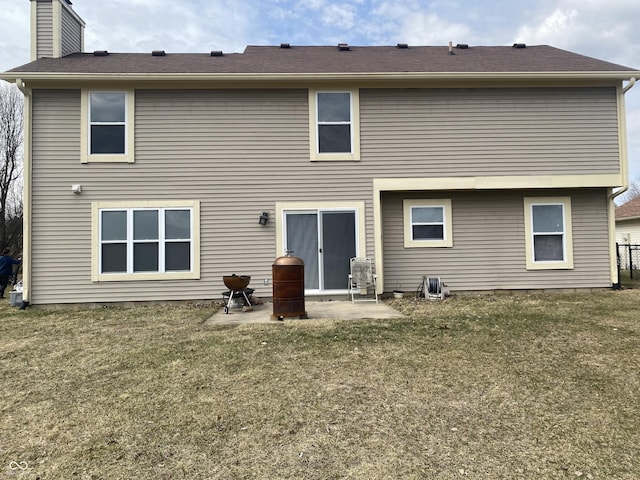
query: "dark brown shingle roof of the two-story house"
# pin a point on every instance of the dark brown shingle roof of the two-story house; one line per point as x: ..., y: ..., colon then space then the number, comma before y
x: 326, y: 60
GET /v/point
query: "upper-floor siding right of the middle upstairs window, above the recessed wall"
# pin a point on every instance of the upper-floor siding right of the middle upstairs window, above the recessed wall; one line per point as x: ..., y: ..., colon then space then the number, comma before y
x: 460, y: 132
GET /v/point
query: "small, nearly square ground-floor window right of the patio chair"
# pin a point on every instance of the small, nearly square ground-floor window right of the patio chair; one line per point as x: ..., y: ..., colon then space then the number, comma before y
x: 428, y: 223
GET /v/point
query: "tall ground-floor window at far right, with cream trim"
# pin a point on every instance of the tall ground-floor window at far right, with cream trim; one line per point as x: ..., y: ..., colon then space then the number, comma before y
x: 548, y: 231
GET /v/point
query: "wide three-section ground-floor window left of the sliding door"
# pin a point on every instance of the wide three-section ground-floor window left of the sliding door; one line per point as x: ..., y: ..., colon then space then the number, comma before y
x: 146, y: 242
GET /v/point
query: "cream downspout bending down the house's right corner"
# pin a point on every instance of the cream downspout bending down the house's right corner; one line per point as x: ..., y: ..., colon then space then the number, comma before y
x: 624, y: 173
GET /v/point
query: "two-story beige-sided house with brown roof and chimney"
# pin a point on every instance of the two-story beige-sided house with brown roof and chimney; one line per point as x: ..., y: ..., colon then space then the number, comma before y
x: 147, y: 174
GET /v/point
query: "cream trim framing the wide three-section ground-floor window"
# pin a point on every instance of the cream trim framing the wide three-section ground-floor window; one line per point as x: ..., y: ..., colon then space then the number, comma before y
x: 97, y: 207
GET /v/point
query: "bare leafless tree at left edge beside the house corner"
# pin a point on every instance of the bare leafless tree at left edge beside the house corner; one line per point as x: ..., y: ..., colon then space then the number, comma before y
x: 11, y: 139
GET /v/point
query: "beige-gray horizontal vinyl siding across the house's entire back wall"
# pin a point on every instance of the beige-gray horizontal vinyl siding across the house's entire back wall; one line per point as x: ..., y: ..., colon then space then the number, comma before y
x: 239, y: 152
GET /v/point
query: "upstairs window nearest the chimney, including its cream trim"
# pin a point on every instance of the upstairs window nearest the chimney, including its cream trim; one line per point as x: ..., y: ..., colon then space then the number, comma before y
x: 107, y: 126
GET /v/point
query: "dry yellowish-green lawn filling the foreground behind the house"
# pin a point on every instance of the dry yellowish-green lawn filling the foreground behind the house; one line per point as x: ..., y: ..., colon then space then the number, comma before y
x: 490, y: 387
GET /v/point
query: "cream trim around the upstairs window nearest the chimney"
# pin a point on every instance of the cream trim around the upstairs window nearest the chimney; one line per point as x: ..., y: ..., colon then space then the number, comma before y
x: 85, y: 145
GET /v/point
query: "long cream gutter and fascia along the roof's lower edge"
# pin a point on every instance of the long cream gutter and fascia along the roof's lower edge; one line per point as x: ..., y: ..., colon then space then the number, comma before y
x: 62, y: 76
